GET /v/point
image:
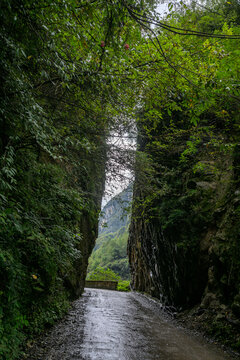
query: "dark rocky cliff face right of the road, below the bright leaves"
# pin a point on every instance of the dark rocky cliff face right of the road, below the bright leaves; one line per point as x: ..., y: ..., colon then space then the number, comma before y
x: 184, y: 236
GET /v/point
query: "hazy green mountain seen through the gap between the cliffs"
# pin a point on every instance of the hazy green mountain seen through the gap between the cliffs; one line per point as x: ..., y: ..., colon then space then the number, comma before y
x: 111, y: 246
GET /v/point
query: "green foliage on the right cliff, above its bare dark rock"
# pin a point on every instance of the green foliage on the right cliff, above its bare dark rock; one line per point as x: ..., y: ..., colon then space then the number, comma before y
x: 189, y: 129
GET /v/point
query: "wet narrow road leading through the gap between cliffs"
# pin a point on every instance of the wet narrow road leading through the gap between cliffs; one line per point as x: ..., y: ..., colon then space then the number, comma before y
x: 108, y: 325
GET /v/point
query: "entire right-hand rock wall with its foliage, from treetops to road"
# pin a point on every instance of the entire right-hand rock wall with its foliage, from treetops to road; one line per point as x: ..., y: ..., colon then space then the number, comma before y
x: 184, y: 244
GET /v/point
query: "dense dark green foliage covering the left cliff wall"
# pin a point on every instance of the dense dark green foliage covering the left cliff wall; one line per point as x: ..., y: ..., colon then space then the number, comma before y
x: 55, y: 105
